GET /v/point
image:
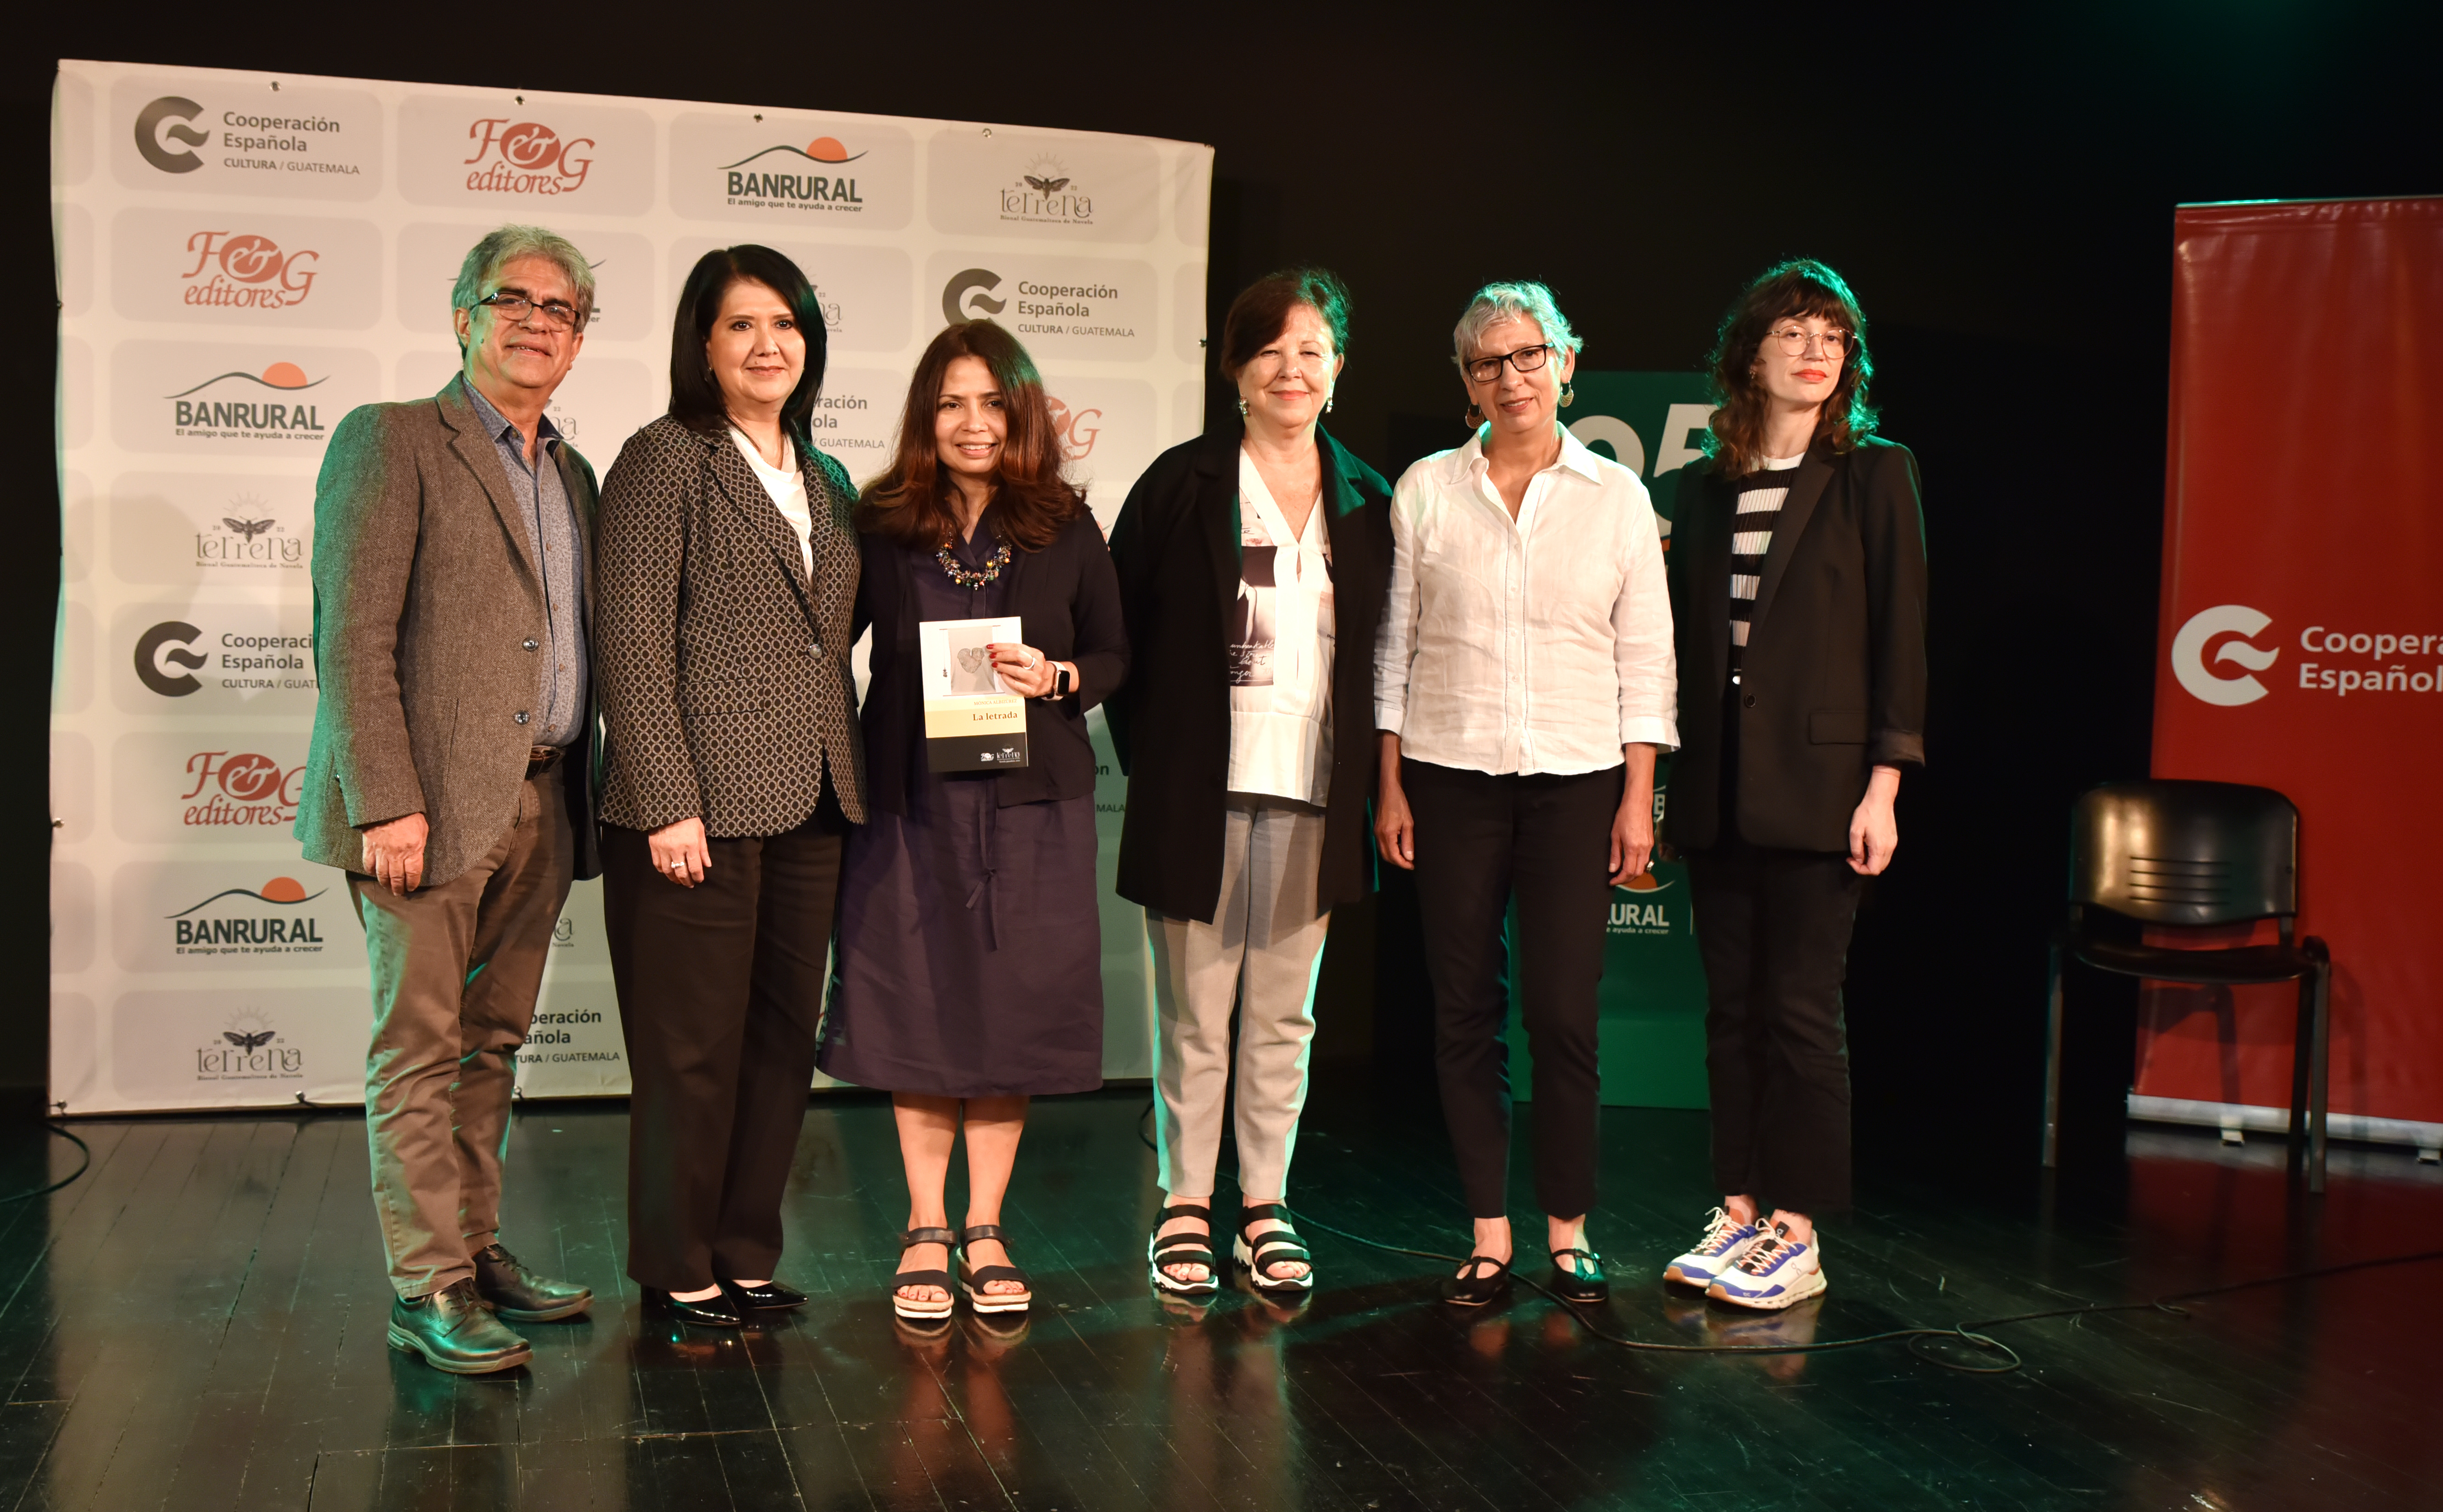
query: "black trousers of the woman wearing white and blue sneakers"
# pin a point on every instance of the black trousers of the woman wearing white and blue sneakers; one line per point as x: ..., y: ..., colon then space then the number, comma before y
x: 1775, y: 934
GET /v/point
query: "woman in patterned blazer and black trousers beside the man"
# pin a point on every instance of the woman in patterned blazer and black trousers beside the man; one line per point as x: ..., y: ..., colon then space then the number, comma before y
x: 727, y: 575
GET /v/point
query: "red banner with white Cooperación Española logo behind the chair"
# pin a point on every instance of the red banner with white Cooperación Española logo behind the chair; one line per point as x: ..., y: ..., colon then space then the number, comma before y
x: 2303, y: 634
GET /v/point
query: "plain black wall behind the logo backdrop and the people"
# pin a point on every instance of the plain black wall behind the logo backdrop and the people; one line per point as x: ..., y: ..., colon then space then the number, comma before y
x: 1995, y: 180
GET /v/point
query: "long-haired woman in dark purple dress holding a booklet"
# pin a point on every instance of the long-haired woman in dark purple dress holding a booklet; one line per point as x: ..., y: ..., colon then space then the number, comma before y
x: 971, y: 944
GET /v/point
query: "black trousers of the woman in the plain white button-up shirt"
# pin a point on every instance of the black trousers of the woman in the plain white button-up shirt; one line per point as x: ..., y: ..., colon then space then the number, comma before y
x: 1545, y: 839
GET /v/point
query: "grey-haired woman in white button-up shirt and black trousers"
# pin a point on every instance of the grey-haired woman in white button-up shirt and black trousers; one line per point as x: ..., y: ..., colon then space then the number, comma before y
x: 1523, y: 690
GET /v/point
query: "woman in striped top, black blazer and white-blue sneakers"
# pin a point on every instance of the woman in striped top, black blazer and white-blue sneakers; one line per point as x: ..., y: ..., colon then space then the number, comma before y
x: 1799, y: 595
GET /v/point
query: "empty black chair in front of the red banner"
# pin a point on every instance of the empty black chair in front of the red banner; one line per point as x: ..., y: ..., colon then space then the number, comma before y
x: 2190, y: 856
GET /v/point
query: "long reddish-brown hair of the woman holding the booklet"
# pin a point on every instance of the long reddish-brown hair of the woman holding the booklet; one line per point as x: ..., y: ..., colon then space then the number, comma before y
x: 910, y: 502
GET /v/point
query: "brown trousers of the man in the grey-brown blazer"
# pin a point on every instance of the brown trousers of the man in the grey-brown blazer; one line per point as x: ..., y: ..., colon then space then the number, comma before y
x: 456, y: 978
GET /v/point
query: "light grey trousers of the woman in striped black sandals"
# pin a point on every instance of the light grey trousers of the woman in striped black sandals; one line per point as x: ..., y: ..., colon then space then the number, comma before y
x: 1259, y: 954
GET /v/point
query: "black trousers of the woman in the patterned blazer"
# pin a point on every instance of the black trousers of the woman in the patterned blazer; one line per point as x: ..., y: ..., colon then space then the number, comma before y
x: 719, y: 998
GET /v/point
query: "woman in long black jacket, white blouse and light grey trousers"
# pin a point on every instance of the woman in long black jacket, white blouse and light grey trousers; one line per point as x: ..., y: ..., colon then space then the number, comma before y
x: 1252, y: 565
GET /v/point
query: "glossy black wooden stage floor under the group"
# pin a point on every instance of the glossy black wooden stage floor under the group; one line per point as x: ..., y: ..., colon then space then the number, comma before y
x: 199, y: 1323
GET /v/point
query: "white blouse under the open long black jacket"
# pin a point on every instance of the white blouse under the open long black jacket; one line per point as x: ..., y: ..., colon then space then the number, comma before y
x: 1281, y: 651
